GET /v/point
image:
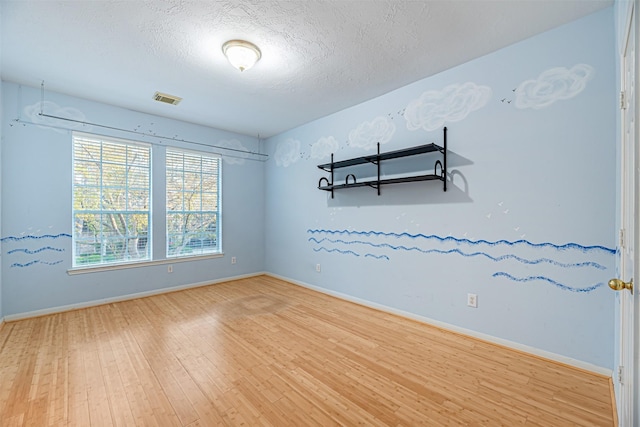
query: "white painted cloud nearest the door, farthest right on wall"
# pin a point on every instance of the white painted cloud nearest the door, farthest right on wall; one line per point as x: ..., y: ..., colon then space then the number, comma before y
x: 553, y: 85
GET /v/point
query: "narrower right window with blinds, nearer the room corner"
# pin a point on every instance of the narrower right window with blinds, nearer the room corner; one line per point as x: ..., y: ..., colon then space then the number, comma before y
x: 193, y: 203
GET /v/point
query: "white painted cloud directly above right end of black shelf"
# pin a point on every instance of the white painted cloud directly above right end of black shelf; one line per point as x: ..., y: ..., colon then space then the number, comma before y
x: 453, y: 103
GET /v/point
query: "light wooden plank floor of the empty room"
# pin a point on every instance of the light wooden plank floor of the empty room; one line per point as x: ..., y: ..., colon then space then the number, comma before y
x: 265, y: 352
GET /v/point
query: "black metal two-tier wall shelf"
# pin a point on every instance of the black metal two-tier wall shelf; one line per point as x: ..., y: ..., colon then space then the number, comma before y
x: 376, y: 159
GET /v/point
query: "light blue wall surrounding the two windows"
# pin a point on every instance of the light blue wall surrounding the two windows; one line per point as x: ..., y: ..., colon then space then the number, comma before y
x: 36, y: 203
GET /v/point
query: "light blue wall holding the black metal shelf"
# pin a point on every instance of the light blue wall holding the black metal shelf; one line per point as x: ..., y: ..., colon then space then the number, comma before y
x: 528, y: 223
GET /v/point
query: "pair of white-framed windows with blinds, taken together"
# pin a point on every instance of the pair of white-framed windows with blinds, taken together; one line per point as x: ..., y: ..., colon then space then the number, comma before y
x: 112, y: 202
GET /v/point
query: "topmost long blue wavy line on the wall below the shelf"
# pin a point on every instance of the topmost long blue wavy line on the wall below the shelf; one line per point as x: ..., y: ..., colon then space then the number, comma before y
x: 468, y: 241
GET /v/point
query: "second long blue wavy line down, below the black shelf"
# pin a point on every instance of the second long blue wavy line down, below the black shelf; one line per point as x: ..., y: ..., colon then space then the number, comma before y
x: 459, y: 252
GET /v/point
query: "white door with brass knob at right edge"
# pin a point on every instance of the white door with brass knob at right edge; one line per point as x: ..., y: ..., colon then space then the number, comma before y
x: 627, y: 256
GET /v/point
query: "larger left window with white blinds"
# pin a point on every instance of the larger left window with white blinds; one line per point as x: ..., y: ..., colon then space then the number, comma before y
x: 111, y: 201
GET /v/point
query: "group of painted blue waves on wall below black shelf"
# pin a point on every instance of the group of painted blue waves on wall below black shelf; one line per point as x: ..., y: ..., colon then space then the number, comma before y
x: 567, y: 260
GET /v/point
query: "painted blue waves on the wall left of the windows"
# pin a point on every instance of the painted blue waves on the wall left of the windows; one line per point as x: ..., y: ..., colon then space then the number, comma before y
x: 31, y: 244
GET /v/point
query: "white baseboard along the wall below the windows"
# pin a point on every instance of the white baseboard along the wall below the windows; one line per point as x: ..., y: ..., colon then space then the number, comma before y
x: 93, y: 303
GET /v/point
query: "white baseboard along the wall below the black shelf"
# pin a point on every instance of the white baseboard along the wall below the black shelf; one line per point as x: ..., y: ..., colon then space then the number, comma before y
x: 469, y: 332
